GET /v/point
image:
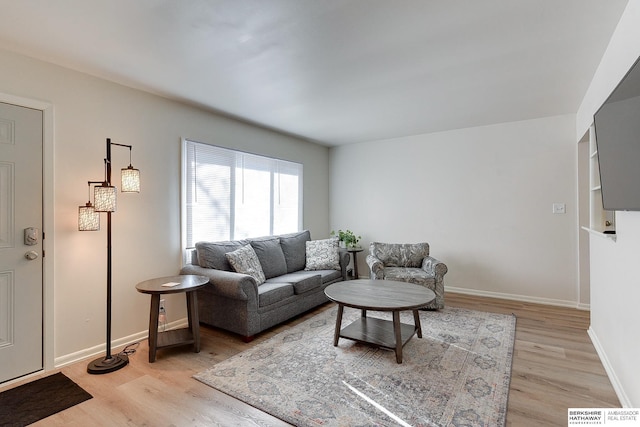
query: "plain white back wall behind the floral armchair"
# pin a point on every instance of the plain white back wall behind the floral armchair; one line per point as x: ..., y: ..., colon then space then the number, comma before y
x: 482, y: 197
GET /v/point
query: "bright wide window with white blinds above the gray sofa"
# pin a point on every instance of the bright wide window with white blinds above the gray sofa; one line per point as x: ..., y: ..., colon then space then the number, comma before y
x: 229, y: 195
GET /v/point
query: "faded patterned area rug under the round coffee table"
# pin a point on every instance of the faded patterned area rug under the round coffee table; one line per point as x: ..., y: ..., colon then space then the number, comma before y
x: 458, y: 374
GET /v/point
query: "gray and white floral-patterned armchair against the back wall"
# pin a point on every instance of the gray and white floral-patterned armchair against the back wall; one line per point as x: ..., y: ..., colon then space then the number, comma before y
x: 408, y: 262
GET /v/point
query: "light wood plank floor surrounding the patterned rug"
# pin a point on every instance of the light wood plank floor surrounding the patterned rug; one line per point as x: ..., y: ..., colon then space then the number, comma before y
x: 555, y: 367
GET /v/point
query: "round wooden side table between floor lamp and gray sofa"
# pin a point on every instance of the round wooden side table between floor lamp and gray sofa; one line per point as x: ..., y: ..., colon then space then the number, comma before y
x: 190, y: 335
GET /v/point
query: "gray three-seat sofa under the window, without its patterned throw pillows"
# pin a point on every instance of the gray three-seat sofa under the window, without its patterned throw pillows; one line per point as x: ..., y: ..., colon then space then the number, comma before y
x: 235, y: 302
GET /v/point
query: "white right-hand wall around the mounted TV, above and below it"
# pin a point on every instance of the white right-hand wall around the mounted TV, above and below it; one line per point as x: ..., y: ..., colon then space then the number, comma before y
x: 615, y: 277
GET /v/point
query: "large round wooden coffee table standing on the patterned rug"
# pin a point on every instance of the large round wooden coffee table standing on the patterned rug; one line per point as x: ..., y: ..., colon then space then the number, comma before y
x: 379, y: 295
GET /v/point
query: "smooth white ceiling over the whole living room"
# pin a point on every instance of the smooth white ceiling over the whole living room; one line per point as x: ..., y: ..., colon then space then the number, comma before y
x: 332, y: 71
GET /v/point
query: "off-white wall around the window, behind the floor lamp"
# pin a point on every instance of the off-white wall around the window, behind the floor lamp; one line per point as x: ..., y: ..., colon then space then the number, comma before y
x: 146, y: 227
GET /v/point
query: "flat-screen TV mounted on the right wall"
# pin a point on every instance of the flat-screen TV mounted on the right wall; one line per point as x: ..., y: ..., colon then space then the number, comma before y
x: 617, y: 126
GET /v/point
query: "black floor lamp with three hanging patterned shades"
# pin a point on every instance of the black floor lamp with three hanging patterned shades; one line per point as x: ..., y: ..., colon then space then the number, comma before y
x: 104, y: 198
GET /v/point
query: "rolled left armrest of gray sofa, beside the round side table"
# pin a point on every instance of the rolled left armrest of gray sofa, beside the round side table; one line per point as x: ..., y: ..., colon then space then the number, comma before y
x: 226, y: 283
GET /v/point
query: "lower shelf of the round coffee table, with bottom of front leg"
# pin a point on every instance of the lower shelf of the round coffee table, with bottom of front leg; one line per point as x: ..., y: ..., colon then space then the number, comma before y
x: 380, y: 332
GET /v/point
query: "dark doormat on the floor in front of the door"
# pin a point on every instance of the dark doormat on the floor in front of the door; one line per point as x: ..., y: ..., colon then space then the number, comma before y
x: 39, y: 399
